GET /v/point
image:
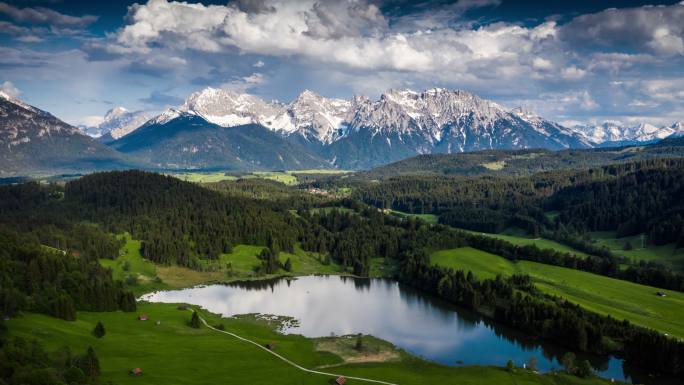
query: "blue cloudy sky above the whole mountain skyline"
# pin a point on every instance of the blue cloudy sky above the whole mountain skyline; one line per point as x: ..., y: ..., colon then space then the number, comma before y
x: 569, y: 61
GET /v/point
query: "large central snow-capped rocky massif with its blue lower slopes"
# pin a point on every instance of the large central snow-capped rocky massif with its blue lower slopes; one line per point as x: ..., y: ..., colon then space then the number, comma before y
x: 361, y: 133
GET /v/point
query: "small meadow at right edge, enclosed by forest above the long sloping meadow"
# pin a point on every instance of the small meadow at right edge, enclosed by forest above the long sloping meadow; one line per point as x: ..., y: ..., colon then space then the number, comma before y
x: 668, y: 254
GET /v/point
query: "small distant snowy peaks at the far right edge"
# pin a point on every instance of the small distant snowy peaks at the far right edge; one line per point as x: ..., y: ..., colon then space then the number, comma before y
x: 613, y: 133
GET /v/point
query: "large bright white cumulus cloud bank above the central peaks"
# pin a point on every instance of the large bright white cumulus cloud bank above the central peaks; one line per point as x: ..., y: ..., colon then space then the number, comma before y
x: 354, y: 34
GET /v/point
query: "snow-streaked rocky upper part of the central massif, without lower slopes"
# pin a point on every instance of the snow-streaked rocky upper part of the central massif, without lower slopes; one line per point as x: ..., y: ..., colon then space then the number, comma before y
x: 428, y: 117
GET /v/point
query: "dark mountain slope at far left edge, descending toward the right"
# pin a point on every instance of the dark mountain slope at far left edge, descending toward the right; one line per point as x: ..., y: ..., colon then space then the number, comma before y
x: 34, y: 141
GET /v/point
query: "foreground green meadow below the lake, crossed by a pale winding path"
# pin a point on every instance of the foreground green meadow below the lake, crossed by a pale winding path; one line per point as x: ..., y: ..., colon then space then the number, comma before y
x: 172, y: 353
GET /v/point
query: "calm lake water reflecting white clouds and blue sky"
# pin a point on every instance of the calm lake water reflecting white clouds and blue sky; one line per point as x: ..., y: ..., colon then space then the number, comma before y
x: 420, y: 324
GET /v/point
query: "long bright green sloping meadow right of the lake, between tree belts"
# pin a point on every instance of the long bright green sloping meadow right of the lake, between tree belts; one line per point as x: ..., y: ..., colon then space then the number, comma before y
x: 620, y: 299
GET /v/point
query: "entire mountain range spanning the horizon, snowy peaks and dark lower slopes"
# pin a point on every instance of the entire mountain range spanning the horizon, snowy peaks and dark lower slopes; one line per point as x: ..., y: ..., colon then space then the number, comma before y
x: 222, y: 129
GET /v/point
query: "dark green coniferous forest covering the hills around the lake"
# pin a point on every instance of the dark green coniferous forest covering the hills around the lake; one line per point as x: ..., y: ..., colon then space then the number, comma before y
x: 53, y: 235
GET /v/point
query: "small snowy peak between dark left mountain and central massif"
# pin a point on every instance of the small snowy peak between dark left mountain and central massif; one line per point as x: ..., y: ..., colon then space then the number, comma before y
x: 117, y: 123
